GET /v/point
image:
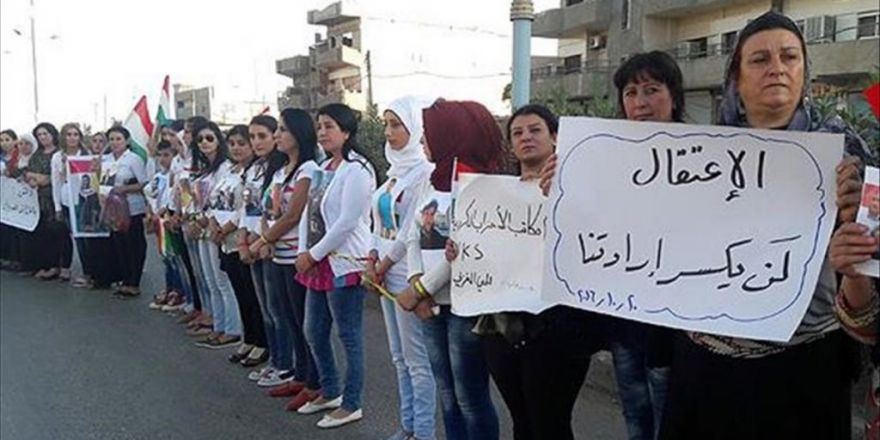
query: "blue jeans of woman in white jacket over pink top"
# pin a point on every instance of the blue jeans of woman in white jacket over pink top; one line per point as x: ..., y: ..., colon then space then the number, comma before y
x: 345, y: 307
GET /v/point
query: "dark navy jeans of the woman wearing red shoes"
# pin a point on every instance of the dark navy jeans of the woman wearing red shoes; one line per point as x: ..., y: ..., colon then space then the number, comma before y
x: 288, y: 296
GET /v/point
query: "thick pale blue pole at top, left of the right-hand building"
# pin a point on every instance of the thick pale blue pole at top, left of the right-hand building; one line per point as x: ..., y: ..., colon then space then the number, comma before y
x: 522, y: 13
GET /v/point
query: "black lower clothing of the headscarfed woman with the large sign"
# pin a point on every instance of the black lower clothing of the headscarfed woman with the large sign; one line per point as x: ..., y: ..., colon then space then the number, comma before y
x: 801, y: 393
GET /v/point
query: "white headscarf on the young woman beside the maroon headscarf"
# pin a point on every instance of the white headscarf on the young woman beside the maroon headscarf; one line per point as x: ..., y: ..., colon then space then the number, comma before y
x: 409, y: 110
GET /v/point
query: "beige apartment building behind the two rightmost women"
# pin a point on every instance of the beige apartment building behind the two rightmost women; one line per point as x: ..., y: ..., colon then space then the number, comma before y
x: 594, y: 36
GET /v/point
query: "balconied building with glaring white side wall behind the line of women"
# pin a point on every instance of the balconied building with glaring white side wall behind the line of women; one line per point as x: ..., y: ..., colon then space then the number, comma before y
x: 375, y: 51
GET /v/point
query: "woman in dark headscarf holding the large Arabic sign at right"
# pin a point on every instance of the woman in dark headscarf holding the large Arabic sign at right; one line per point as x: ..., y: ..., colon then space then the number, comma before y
x: 731, y: 388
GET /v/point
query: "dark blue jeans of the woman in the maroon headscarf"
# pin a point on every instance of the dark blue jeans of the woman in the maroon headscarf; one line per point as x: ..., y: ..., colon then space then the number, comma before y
x: 462, y: 377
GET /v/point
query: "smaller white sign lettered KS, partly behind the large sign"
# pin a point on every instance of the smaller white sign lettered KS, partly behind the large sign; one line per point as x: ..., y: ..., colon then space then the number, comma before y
x: 499, y: 226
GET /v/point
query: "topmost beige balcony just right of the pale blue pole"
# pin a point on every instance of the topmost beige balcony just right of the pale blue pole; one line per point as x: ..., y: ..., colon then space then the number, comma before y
x: 589, y: 15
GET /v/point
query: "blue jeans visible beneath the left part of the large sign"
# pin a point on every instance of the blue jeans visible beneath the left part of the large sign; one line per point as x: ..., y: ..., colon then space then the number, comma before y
x: 642, y: 390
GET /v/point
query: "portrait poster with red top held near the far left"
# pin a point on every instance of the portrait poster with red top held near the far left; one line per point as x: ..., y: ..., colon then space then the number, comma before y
x: 83, y: 174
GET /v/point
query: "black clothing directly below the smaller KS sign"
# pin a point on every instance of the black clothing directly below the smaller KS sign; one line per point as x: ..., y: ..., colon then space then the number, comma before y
x: 540, y: 374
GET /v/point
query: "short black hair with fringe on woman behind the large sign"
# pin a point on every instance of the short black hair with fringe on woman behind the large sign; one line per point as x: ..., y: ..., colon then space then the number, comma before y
x: 656, y: 65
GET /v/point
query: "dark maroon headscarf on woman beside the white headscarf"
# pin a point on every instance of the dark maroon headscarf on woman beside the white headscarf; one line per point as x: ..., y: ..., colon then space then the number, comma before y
x: 463, y: 130
